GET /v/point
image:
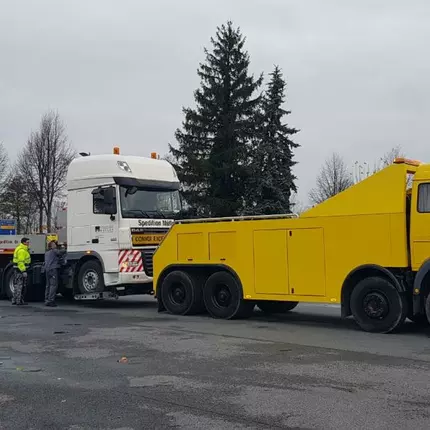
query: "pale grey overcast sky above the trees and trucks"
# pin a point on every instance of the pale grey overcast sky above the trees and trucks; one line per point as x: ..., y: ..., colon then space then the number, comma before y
x: 119, y: 71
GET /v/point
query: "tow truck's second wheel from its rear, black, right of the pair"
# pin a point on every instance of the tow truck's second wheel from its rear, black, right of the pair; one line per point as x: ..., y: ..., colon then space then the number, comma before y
x: 223, y: 297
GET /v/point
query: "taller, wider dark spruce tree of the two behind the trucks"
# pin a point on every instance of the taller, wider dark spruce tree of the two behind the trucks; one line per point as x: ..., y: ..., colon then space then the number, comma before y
x: 214, y: 143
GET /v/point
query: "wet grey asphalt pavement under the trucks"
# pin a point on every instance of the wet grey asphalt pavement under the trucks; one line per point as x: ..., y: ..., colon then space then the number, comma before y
x: 122, y: 365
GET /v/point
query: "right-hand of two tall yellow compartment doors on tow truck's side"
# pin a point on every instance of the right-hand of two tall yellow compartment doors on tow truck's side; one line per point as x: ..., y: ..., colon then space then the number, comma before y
x: 306, y: 262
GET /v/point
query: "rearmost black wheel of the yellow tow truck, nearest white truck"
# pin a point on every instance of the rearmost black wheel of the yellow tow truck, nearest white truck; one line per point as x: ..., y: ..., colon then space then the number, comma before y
x: 181, y: 293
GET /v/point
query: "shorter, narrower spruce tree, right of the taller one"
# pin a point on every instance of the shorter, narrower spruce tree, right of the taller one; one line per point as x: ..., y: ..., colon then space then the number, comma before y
x: 273, y: 182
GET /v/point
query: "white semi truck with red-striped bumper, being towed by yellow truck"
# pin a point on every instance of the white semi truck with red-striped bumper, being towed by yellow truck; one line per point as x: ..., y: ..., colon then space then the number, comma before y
x: 118, y: 210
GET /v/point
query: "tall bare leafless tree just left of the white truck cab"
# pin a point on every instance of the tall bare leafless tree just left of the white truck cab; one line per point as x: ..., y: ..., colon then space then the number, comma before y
x: 44, y: 162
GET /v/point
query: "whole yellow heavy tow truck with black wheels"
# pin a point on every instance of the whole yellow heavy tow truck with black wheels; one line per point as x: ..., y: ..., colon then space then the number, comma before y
x: 366, y: 249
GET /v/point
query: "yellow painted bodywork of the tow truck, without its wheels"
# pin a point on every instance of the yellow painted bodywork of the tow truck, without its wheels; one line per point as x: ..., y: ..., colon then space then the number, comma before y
x: 308, y: 258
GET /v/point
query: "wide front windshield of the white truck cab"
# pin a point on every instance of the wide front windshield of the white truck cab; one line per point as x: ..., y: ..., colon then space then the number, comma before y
x: 147, y: 203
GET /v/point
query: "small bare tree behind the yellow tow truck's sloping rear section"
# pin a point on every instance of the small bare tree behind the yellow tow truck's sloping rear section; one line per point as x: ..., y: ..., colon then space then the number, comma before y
x: 333, y: 178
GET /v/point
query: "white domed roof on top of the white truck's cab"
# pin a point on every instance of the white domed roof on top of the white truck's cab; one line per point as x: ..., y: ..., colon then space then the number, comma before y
x: 101, y: 169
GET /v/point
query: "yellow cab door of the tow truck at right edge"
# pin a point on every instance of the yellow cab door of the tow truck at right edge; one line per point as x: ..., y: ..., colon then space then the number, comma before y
x: 420, y: 224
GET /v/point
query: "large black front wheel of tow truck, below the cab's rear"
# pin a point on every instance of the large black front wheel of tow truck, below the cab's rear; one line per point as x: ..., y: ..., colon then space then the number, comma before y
x: 377, y: 306
